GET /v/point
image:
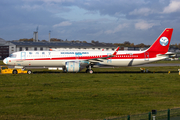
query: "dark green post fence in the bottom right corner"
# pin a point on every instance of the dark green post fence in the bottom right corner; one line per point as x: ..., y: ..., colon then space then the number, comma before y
x: 170, y: 114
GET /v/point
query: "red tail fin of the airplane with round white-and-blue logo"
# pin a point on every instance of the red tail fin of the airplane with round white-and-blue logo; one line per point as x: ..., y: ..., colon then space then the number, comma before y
x: 161, y: 45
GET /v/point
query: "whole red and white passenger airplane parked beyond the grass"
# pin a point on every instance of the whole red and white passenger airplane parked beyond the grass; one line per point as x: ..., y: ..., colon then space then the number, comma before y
x: 75, y: 61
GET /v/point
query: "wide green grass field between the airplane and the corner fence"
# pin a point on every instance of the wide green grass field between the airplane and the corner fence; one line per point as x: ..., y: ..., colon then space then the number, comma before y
x: 79, y: 96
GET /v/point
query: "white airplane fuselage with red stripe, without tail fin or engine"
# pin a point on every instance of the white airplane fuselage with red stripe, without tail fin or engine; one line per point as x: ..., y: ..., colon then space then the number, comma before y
x: 59, y: 58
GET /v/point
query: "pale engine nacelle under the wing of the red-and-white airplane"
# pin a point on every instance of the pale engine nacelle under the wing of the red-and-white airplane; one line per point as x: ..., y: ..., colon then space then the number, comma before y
x: 72, y: 66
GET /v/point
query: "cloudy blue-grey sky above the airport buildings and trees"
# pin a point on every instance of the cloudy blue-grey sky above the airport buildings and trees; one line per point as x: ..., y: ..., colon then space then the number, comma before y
x: 109, y: 21
